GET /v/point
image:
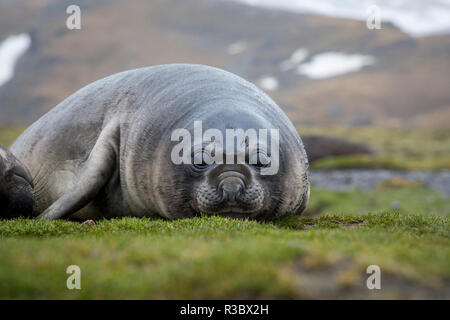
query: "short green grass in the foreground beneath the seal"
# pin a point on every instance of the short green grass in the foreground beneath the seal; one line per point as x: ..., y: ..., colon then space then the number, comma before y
x: 322, y: 255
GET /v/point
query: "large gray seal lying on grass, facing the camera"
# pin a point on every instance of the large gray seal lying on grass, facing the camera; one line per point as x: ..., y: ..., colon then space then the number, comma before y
x: 105, y: 150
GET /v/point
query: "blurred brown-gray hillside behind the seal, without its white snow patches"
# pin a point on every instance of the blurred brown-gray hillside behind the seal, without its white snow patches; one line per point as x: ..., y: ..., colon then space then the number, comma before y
x: 407, y: 85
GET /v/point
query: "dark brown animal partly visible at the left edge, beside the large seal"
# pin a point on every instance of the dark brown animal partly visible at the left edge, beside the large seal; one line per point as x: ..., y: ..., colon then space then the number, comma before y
x: 16, y: 187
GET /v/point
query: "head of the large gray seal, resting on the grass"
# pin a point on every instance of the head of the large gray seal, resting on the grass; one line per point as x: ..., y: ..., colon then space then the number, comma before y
x: 255, y: 171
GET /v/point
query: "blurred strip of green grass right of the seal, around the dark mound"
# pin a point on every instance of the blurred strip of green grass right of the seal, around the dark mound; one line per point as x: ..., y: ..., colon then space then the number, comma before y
x: 395, y: 148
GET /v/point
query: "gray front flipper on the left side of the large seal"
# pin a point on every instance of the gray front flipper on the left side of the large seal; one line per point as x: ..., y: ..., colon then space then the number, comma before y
x: 93, y: 176
